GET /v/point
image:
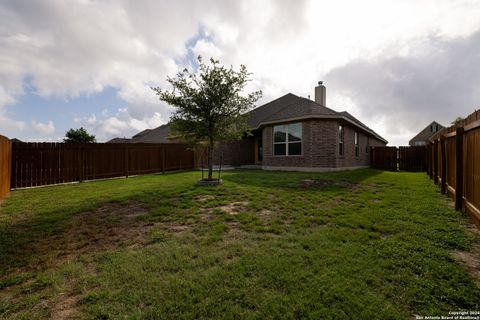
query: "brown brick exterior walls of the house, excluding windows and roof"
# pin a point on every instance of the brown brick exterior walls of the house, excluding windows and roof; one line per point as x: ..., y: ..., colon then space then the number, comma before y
x: 320, y: 148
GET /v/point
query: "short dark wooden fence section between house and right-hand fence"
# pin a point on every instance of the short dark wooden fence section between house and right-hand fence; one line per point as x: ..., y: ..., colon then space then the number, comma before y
x: 401, y: 158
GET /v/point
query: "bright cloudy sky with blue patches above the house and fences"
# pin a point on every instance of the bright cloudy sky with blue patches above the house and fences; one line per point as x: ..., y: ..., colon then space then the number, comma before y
x: 395, y: 65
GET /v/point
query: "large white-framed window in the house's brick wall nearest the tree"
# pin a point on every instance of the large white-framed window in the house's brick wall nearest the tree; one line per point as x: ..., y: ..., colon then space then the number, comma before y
x: 287, y: 139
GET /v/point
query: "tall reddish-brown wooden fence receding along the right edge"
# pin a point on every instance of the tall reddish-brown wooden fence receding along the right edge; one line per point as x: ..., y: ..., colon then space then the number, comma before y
x: 454, y: 163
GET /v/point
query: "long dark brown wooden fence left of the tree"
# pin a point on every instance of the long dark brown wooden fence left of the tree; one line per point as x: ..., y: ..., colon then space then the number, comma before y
x: 38, y: 164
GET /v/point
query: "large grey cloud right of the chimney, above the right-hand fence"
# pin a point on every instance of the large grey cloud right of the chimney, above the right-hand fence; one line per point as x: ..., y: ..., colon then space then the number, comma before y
x: 438, y: 80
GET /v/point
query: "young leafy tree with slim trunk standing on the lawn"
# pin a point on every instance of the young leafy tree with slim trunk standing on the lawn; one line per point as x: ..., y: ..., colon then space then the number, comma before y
x: 210, y: 104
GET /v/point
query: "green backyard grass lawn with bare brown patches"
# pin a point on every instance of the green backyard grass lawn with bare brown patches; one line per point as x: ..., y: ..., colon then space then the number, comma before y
x: 362, y: 244
